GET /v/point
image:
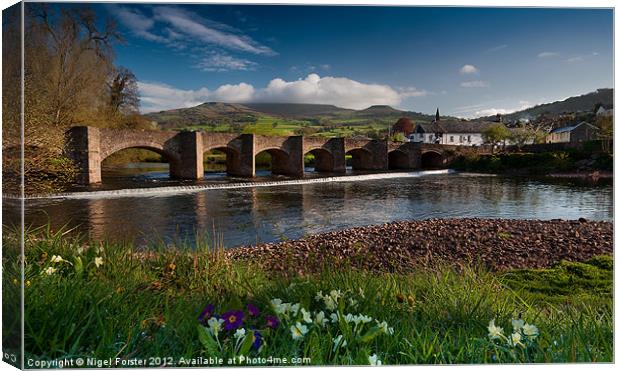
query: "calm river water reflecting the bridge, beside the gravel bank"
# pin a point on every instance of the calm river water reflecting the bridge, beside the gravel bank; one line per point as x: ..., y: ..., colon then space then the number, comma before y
x: 249, y: 215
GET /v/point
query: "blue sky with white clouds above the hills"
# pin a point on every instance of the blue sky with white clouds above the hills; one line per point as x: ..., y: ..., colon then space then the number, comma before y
x: 466, y: 61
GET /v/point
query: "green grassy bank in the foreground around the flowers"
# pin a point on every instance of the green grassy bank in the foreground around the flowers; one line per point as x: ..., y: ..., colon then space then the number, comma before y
x: 141, y: 304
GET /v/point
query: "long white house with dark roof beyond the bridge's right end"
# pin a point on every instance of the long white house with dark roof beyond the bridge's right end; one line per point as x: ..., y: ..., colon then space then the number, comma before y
x: 452, y: 132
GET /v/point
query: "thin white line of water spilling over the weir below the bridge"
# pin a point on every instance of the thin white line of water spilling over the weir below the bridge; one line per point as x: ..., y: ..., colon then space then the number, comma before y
x: 176, y: 190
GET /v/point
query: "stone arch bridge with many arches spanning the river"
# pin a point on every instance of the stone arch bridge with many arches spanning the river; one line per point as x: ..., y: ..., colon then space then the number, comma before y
x: 89, y: 146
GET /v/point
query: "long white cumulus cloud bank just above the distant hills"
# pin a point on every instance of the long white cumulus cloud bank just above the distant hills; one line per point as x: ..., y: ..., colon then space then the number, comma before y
x: 339, y: 91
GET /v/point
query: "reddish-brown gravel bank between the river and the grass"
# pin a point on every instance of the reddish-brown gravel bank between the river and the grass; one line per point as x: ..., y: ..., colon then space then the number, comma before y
x: 498, y: 244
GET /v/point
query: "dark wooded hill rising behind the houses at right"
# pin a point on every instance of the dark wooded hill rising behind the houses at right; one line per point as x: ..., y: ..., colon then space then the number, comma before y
x: 585, y: 102
